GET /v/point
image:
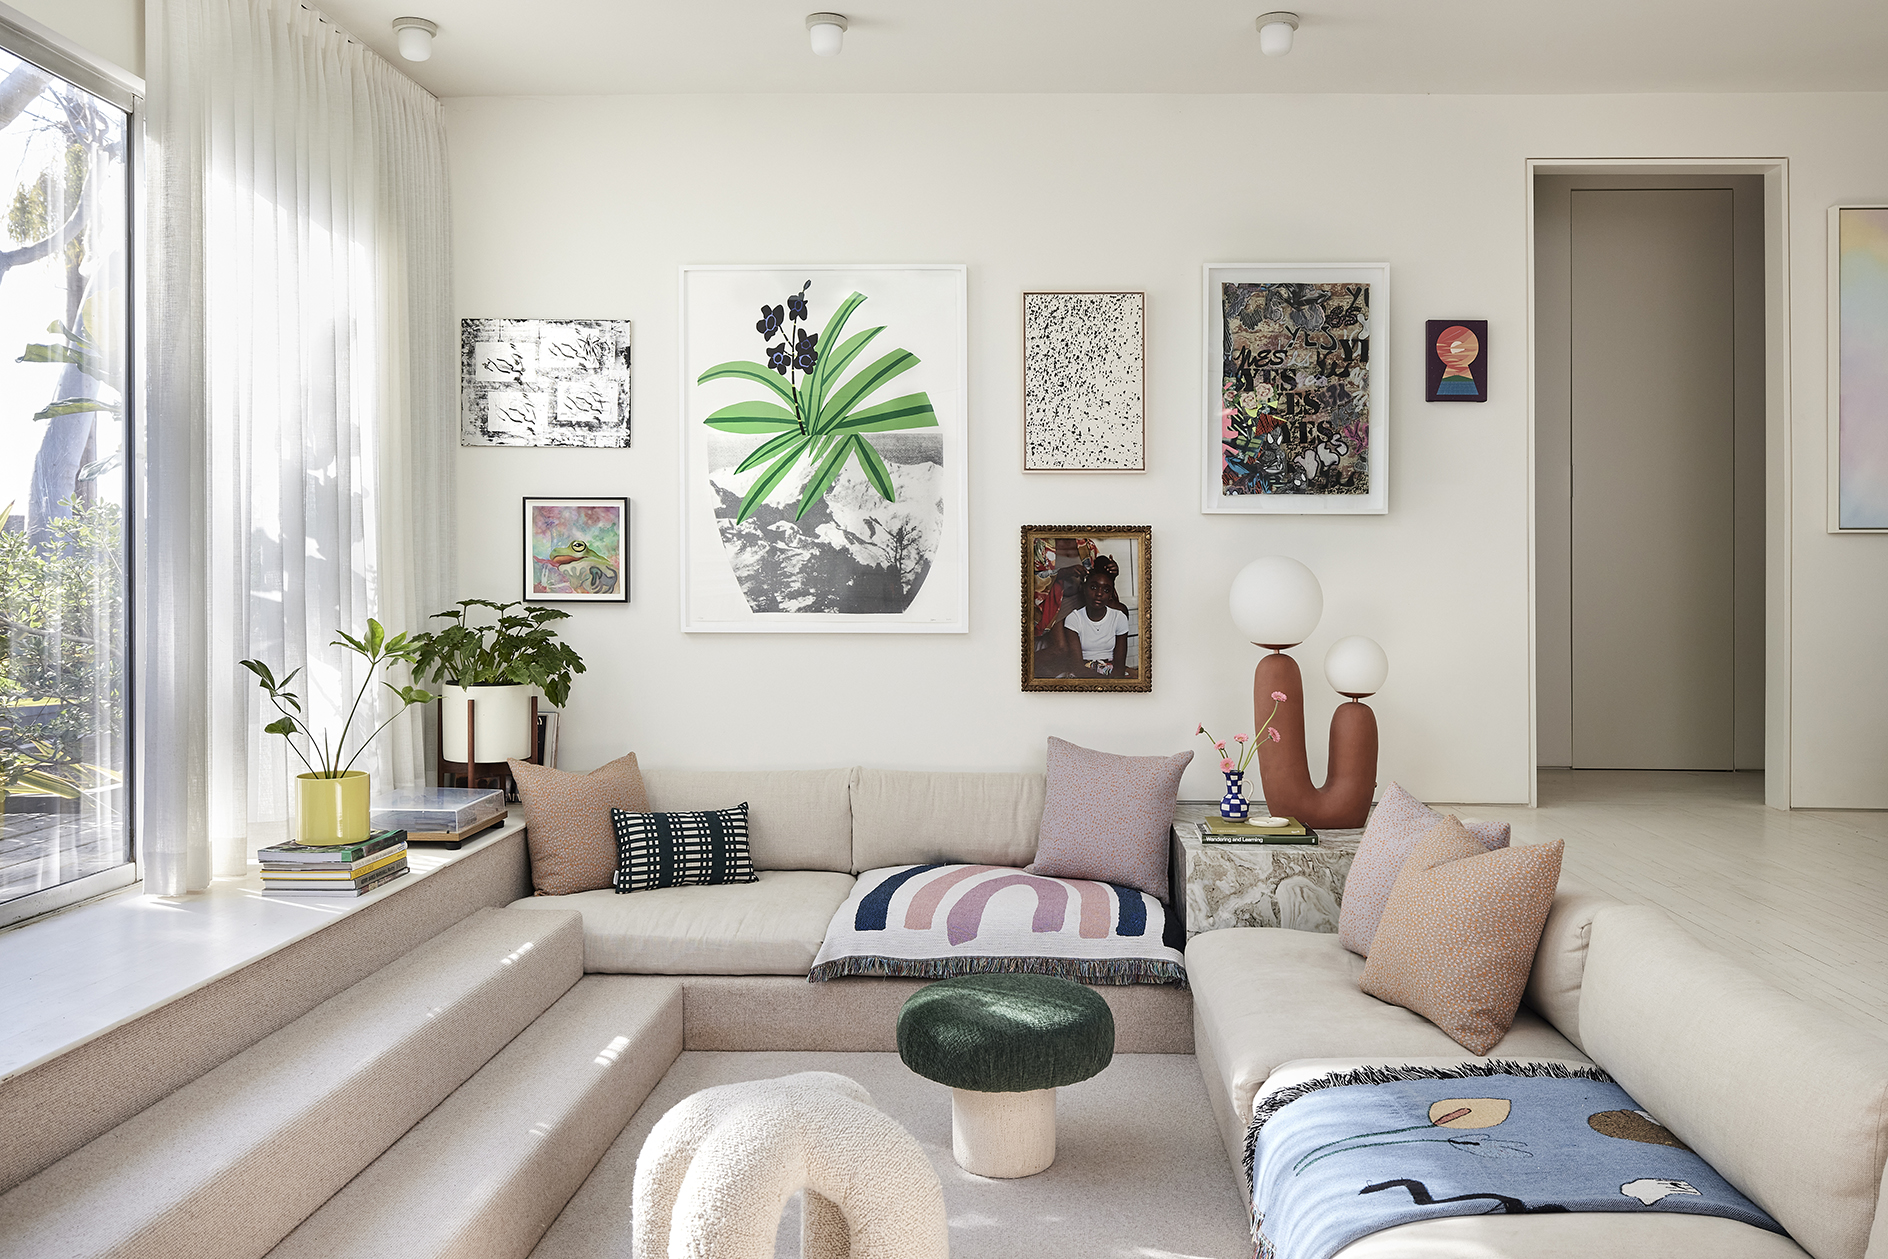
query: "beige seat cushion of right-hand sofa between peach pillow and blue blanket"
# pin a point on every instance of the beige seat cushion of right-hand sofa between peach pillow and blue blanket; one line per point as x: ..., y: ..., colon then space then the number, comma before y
x: 1266, y: 996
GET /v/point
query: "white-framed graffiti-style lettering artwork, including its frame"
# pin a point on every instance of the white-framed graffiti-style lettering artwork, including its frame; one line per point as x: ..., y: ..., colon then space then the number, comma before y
x: 1298, y: 388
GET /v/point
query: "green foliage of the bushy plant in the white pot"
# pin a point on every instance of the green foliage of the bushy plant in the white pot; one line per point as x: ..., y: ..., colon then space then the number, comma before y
x: 518, y: 648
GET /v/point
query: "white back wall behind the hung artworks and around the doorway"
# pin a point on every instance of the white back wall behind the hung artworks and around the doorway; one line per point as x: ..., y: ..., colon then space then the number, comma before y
x: 586, y: 207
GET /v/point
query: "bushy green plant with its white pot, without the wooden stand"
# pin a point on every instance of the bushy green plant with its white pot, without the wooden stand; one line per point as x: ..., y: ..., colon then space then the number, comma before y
x: 496, y: 665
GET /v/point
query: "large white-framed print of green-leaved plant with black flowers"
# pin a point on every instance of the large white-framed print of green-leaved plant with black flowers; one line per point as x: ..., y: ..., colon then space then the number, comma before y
x: 824, y: 475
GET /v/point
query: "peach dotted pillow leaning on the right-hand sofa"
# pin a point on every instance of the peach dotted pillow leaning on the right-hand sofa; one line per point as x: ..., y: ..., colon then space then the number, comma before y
x: 1460, y: 933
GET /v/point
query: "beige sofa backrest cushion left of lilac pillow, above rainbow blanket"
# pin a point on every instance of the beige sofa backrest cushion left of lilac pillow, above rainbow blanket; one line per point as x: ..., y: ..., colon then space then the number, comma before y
x: 917, y: 816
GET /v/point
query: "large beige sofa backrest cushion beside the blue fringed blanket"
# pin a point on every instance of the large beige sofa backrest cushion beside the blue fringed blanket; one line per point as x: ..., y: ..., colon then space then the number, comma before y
x: 1785, y: 1100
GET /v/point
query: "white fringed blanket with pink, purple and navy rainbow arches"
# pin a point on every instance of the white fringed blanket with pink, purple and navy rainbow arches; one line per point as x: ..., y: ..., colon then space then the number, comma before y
x: 939, y: 922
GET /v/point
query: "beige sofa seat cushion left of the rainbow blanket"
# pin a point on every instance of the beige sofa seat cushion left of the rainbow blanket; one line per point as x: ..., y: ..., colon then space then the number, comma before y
x: 773, y: 926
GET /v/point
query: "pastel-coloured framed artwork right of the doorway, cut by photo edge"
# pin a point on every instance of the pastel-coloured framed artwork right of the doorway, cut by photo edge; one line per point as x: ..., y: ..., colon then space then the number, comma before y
x: 1859, y: 369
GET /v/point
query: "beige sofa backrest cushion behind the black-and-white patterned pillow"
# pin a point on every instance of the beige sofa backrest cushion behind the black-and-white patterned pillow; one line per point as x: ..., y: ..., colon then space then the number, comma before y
x: 798, y: 820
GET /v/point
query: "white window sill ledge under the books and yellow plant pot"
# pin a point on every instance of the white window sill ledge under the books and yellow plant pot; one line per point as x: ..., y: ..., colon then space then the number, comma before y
x: 76, y: 975
